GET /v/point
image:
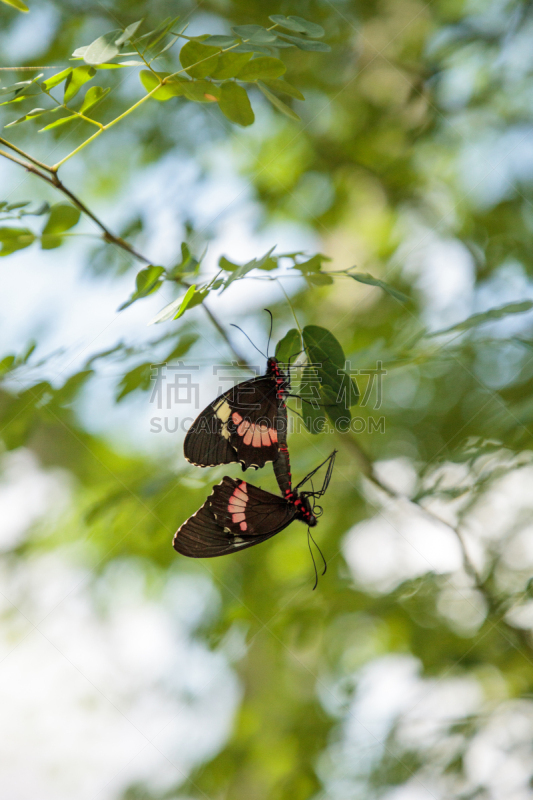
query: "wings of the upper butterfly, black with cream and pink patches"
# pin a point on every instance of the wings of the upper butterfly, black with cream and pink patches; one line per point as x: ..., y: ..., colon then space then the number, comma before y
x: 242, y: 424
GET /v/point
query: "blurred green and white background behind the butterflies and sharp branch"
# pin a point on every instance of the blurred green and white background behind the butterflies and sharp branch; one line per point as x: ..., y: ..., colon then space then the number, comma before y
x: 128, y: 672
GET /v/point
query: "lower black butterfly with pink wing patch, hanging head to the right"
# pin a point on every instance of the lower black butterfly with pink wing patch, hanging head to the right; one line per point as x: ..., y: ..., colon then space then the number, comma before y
x: 238, y: 515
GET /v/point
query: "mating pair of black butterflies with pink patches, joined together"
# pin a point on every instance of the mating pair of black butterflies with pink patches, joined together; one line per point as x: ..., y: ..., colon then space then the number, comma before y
x: 247, y: 424
